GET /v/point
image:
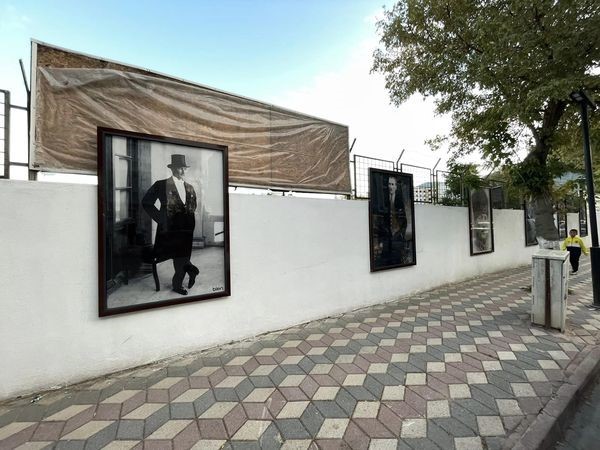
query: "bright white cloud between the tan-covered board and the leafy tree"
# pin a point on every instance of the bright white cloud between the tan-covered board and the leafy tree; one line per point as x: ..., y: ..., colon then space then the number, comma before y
x: 353, y: 96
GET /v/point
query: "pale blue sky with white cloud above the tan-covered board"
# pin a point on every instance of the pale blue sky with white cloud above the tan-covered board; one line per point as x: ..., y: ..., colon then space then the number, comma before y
x: 311, y: 56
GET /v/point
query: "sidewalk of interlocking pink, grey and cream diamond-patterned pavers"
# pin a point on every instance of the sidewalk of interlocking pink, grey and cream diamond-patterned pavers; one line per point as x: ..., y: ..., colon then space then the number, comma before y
x: 456, y: 367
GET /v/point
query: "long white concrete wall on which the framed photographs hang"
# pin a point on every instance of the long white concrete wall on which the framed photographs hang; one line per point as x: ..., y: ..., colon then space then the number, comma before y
x: 292, y: 260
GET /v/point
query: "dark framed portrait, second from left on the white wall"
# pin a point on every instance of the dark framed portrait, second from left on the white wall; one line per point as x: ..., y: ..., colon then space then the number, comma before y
x: 391, y: 219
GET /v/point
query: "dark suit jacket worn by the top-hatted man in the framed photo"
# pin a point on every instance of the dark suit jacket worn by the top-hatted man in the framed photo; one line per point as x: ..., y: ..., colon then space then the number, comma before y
x: 175, y: 220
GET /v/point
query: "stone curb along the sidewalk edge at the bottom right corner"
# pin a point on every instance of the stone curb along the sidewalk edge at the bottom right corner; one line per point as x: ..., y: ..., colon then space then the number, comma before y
x: 553, y: 420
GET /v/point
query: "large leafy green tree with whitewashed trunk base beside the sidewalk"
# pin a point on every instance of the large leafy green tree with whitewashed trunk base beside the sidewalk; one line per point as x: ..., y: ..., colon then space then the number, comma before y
x: 503, y: 70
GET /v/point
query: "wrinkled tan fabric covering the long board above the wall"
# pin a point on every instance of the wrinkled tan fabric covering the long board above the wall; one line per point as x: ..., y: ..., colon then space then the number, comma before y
x: 268, y: 146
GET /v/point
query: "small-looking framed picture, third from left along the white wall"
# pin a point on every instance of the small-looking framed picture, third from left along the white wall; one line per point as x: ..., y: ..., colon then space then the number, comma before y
x: 481, y: 223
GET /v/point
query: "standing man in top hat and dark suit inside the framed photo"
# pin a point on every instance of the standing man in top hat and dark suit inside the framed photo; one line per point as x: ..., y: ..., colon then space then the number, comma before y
x: 176, y: 222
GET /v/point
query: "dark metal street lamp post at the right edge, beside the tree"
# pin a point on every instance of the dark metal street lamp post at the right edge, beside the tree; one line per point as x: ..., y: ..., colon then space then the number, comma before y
x: 586, y: 102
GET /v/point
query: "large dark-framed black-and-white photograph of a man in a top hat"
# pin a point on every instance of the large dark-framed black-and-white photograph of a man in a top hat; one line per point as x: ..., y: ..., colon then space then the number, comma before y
x: 163, y: 221
